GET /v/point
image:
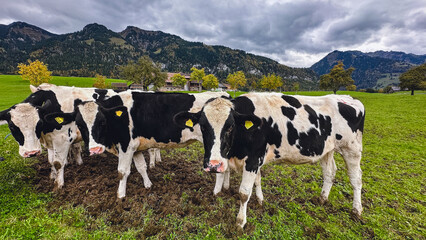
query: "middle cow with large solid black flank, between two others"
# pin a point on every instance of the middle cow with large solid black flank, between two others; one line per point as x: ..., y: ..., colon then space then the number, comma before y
x: 133, y: 121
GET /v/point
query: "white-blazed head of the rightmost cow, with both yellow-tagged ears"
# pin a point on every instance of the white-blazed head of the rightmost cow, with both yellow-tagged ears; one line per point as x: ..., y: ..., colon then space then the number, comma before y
x: 219, y: 124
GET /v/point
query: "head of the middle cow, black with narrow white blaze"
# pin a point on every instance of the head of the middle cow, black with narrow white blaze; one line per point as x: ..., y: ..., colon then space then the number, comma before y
x: 100, y: 127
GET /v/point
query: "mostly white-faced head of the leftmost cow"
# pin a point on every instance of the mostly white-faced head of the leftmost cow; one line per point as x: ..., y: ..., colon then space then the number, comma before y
x: 26, y: 125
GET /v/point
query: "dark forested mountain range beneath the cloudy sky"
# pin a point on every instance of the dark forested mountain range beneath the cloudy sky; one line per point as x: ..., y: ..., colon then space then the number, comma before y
x: 96, y: 49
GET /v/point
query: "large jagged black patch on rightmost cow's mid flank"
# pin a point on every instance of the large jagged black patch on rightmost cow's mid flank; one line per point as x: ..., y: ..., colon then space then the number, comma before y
x: 312, y: 142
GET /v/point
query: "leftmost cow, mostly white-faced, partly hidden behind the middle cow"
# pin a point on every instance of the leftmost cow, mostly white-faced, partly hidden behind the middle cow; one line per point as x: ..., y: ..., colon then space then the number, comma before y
x: 27, y: 125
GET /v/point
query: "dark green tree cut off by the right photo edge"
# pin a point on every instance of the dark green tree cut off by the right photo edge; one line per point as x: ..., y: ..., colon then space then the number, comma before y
x: 414, y: 79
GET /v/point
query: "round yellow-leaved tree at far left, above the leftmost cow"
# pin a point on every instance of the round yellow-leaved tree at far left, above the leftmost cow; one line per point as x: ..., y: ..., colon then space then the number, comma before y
x: 36, y: 72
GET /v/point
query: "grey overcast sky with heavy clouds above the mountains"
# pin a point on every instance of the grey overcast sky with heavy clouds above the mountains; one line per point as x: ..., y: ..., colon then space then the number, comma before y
x: 296, y: 33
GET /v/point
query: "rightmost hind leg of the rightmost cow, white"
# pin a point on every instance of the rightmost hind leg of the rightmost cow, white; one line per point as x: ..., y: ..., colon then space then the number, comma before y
x: 353, y: 165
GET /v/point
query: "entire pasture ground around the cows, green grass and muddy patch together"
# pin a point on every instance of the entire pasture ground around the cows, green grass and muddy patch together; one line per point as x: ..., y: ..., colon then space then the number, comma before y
x: 181, y: 205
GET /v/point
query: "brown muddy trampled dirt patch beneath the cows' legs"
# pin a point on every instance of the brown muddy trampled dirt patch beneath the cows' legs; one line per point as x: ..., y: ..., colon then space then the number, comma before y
x: 180, y: 189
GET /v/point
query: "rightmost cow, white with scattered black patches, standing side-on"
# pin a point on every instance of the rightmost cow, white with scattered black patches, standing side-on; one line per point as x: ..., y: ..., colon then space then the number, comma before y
x: 257, y: 128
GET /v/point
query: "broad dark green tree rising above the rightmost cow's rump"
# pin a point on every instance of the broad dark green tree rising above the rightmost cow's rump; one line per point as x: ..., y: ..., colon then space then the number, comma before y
x: 338, y: 77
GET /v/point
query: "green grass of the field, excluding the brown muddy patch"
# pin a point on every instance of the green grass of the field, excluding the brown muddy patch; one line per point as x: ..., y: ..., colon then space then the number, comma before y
x: 393, y: 197
